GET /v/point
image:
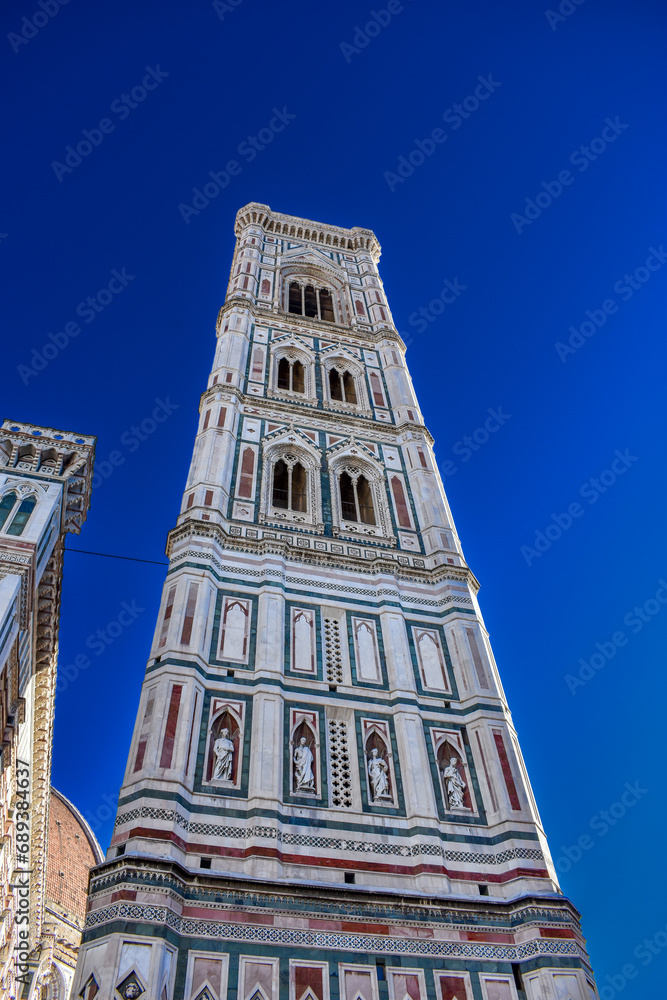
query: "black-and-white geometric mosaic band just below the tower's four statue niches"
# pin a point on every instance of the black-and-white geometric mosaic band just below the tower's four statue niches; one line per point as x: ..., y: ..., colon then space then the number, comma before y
x: 328, y: 843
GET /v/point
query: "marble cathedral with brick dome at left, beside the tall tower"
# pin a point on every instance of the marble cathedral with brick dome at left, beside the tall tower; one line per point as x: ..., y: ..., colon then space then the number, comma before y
x: 45, y: 489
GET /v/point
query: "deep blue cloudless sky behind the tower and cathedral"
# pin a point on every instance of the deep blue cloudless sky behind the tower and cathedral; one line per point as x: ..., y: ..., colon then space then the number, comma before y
x: 492, y: 347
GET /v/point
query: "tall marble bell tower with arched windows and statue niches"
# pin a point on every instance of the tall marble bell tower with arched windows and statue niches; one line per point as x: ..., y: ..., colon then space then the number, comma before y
x: 325, y: 798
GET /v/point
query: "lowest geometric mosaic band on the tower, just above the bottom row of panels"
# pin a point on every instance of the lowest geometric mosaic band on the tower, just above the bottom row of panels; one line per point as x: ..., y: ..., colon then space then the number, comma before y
x: 335, y: 941
